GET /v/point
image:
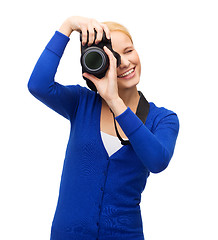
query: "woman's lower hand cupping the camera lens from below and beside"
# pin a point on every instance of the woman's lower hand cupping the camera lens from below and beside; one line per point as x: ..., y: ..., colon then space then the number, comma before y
x: 107, y: 86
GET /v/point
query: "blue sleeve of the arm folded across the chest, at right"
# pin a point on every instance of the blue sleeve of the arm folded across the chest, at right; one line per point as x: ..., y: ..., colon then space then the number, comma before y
x: 154, y: 149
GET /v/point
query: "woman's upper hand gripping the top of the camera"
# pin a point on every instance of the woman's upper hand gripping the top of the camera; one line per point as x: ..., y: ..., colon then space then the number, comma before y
x: 86, y: 26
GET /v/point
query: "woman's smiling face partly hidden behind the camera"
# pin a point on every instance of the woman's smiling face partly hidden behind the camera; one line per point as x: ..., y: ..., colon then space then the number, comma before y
x: 129, y: 71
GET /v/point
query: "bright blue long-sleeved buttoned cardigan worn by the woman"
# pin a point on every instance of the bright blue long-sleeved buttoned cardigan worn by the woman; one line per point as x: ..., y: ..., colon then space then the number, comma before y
x: 99, y: 196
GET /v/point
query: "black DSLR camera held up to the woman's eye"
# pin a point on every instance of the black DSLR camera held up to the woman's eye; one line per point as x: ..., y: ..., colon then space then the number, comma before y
x: 94, y: 60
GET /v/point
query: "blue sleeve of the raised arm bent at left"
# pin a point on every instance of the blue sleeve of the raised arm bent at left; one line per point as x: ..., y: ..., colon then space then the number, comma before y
x: 62, y: 99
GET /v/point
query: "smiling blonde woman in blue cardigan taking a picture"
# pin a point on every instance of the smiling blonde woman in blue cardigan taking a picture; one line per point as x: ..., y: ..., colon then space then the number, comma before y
x: 102, y: 180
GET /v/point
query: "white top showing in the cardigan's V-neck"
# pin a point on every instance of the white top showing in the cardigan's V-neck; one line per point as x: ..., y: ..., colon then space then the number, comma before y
x: 111, y: 143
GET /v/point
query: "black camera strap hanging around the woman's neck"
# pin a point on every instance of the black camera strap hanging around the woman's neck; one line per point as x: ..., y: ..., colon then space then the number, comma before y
x: 141, y: 113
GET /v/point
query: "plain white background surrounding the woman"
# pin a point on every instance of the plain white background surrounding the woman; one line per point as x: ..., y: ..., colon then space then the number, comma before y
x: 177, y: 42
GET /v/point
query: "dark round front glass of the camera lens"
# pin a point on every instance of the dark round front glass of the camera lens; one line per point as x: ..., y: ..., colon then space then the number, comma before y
x: 93, y: 60
